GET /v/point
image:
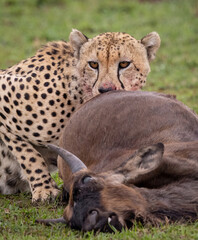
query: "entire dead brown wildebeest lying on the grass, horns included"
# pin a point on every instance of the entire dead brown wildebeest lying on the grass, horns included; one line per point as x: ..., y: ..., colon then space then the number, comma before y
x: 140, y: 154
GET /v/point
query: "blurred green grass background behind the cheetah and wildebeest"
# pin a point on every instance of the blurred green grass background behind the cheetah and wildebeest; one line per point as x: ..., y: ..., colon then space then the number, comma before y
x: 27, y: 24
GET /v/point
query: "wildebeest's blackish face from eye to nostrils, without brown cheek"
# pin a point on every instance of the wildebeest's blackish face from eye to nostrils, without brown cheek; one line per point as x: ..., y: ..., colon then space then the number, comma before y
x: 85, y: 210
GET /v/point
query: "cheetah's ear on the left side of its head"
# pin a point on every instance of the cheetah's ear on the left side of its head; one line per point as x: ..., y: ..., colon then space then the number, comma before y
x: 77, y: 39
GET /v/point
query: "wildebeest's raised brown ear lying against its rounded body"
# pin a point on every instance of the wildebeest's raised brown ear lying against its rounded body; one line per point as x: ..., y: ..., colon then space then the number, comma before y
x: 144, y: 164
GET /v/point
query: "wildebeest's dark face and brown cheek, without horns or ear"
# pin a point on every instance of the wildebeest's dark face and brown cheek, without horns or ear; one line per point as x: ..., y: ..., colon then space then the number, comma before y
x: 97, y: 205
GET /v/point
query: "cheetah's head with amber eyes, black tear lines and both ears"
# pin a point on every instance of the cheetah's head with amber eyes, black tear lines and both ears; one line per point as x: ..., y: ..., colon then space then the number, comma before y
x: 113, y: 60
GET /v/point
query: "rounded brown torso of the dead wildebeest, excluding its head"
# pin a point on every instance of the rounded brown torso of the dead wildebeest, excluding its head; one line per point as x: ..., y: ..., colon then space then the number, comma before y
x: 107, y: 131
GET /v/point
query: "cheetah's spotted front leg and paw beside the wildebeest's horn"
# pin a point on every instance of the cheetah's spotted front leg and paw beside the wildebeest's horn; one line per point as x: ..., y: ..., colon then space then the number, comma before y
x: 33, y: 166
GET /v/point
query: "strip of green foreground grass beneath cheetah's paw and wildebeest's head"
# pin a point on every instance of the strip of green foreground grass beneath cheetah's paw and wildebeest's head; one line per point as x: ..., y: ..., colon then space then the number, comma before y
x: 17, y: 221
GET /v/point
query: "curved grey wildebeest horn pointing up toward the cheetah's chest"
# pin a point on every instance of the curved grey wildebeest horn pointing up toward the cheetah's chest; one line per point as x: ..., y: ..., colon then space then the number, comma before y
x: 74, y: 163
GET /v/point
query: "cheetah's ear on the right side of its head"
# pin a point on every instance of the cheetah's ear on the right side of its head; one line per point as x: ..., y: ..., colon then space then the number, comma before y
x: 151, y: 42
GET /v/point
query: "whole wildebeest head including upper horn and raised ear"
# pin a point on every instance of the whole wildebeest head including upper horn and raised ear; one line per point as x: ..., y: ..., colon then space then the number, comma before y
x: 101, y: 202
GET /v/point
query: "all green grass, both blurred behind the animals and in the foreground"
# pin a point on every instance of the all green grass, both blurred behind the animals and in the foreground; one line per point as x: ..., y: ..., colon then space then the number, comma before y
x: 26, y: 25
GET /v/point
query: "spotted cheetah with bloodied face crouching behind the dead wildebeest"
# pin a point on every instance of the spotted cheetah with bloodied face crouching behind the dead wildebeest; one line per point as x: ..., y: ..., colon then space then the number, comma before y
x: 40, y: 94
